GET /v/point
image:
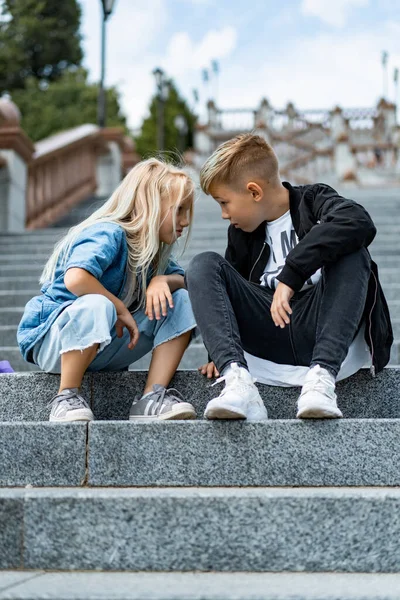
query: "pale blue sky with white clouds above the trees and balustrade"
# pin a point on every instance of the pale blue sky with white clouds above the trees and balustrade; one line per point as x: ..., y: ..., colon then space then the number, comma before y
x: 315, y: 53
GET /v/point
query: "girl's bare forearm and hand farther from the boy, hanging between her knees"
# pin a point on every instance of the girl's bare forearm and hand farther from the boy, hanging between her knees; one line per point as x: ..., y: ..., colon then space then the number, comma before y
x: 79, y: 282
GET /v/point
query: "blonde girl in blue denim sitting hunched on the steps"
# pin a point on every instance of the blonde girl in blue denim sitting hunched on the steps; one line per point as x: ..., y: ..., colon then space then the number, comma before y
x: 111, y: 293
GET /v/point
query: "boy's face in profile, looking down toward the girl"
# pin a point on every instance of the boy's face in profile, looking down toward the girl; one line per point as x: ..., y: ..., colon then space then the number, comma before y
x: 241, y: 206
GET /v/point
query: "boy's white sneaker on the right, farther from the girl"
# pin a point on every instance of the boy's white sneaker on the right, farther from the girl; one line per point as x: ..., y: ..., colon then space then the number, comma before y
x: 318, y: 399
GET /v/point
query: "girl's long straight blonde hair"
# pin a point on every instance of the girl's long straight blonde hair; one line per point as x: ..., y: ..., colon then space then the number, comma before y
x: 136, y: 207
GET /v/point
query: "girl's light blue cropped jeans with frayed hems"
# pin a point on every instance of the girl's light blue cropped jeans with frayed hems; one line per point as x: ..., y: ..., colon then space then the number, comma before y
x: 91, y: 320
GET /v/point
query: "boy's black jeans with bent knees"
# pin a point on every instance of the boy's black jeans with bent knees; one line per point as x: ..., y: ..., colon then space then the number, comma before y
x: 234, y: 315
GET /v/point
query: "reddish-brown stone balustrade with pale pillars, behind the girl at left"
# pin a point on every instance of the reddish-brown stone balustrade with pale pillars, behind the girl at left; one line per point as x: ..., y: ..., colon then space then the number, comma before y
x: 40, y: 183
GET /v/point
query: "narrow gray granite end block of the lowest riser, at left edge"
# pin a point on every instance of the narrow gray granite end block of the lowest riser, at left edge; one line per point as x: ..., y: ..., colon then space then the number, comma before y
x: 11, y: 530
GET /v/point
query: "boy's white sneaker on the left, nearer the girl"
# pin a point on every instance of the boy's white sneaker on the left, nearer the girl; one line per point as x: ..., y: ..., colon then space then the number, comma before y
x: 240, y: 399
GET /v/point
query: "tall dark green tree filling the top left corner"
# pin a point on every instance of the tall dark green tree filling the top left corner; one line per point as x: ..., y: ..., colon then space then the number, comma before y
x: 38, y: 38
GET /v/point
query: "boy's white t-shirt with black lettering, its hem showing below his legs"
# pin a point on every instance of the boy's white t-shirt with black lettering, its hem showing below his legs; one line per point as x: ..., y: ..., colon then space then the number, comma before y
x: 281, y: 237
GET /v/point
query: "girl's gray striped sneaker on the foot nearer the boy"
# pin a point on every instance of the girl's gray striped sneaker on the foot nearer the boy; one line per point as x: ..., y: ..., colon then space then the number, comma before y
x: 161, y: 404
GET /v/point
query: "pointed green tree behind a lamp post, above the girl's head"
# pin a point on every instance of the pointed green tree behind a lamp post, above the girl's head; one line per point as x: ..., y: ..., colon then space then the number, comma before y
x: 174, y: 105
